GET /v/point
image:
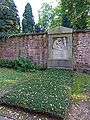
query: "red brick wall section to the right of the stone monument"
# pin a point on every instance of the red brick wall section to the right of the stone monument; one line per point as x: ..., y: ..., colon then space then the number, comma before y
x: 81, y: 49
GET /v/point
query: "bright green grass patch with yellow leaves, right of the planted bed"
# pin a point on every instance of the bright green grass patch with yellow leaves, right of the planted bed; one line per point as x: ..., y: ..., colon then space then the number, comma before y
x: 80, y: 81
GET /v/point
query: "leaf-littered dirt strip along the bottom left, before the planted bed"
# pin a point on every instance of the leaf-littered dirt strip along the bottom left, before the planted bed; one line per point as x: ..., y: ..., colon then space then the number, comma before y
x: 17, y: 114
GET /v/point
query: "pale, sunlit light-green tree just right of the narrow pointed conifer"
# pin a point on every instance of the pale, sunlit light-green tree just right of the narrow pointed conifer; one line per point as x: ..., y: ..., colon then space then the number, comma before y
x: 49, y: 17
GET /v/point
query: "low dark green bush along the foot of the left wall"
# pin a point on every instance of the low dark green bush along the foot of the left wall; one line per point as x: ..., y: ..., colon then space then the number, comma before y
x: 20, y: 64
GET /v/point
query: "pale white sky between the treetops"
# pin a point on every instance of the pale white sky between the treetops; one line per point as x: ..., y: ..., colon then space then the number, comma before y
x: 35, y: 4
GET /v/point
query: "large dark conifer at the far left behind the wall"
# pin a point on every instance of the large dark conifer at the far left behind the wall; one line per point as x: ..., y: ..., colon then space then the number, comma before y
x: 9, y: 19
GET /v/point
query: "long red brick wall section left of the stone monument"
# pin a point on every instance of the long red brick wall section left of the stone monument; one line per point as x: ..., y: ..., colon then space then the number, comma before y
x: 32, y: 46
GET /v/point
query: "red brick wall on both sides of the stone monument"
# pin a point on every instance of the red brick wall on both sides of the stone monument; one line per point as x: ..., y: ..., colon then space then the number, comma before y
x: 35, y: 47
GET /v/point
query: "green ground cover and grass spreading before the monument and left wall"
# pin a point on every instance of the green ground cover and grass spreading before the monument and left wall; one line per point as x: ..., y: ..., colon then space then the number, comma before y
x: 47, y: 91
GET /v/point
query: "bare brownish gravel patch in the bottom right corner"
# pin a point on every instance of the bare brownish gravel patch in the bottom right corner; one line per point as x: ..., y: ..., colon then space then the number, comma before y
x: 79, y: 111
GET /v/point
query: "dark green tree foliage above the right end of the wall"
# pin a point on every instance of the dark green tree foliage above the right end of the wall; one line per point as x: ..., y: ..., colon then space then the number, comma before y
x: 75, y: 12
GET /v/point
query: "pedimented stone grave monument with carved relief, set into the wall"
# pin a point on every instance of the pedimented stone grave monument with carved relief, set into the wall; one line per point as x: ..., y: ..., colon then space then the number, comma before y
x: 60, y: 48
